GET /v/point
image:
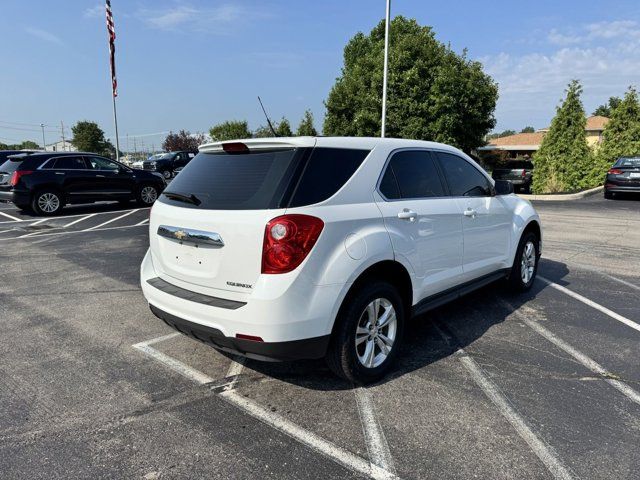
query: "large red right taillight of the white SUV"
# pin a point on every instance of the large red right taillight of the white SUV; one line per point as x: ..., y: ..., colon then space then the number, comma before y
x: 288, y: 240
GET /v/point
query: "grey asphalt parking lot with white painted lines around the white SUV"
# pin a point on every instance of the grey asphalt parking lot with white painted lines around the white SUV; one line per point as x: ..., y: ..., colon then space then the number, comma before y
x: 542, y: 385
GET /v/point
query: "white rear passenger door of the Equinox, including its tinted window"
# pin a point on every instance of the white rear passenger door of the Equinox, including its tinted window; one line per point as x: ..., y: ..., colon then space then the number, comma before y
x: 425, y: 225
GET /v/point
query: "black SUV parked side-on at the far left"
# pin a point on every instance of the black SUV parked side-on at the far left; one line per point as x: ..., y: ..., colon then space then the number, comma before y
x: 45, y: 182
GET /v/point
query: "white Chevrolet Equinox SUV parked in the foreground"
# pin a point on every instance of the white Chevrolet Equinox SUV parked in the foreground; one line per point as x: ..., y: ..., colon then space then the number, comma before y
x: 291, y: 248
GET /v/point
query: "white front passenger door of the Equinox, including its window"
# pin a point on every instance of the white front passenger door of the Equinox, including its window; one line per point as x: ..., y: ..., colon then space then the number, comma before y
x: 487, y: 220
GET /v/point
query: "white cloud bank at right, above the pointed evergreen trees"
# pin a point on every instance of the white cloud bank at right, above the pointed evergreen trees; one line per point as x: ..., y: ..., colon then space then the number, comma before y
x: 604, y: 56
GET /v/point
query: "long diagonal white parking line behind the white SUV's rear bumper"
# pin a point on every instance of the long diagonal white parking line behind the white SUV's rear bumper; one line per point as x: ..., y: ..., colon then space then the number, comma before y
x: 271, y: 419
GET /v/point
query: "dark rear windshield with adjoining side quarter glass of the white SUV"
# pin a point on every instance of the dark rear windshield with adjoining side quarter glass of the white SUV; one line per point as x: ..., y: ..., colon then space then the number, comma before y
x: 264, y: 179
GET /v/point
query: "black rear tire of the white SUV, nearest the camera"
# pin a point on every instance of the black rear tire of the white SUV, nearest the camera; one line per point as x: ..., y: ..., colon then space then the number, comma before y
x: 343, y: 355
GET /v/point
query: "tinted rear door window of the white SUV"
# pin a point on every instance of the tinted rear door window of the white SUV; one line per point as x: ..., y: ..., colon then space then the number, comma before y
x: 416, y: 175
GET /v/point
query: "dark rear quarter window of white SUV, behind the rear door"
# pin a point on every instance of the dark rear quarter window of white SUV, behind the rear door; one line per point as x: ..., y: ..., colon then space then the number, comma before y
x: 326, y: 171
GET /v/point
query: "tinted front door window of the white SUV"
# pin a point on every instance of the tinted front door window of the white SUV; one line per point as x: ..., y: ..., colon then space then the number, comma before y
x: 464, y: 179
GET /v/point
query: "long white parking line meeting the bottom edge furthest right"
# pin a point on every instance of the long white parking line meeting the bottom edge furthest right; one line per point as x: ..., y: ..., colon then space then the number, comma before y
x: 543, y: 451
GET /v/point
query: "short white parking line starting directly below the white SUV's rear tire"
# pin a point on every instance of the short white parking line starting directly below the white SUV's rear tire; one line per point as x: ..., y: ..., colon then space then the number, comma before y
x: 377, y: 446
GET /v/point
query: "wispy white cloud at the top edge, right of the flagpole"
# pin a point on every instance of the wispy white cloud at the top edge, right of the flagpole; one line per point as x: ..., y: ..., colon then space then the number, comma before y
x: 218, y: 19
